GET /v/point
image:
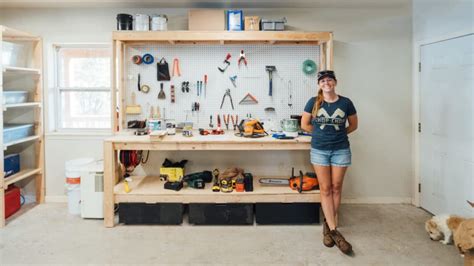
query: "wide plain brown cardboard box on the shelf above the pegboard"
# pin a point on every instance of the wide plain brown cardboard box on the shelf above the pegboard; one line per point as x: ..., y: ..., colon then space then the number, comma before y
x: 206, y: 19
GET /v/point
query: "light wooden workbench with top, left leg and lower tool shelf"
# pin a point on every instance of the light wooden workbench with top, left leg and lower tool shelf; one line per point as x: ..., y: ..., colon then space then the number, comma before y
x: 149, y: 189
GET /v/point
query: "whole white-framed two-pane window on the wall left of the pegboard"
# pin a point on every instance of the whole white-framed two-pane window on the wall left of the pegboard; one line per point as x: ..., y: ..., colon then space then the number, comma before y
x: 83, y: 86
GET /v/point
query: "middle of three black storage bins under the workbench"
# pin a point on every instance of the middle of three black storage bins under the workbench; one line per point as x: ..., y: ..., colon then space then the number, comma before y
x: 221, y: 214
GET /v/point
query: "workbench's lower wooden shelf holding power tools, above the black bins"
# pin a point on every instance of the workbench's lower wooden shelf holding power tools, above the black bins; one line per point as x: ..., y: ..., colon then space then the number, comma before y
x: 150, y: 189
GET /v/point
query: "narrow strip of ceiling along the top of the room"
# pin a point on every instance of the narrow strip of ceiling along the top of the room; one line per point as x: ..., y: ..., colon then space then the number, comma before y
x: 204, y: 4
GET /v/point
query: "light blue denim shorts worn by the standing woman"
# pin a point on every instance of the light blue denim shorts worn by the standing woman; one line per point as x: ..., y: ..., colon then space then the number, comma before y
x: 340, y: 157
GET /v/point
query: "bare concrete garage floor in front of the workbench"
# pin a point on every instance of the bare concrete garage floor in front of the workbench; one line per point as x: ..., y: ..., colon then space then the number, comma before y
x: 380, y: 234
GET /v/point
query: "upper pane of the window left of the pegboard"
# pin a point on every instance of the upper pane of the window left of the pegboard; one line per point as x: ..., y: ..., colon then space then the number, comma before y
x: 84, y: 67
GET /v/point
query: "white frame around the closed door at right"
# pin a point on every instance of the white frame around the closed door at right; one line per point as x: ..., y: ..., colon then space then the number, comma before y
x: 416, y: 106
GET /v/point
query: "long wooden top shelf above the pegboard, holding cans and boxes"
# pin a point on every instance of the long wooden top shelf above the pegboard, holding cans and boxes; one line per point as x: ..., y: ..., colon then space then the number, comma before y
x: 224, y: 37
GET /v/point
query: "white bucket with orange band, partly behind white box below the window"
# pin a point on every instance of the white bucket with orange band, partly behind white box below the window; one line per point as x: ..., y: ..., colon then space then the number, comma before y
x: 73, y: 183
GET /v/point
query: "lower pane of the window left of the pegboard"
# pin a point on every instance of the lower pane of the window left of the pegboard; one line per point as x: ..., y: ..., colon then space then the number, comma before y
x: 85, y: 109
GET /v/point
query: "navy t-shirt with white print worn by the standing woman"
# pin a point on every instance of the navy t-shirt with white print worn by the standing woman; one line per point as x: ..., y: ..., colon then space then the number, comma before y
x: 329, y: 125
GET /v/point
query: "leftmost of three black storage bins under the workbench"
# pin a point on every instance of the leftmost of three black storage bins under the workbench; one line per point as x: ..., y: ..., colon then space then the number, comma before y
x: 158, y: 213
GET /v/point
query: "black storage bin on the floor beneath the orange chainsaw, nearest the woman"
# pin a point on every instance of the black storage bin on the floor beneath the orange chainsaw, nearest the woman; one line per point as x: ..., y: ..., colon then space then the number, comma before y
x: 287, y: 213
